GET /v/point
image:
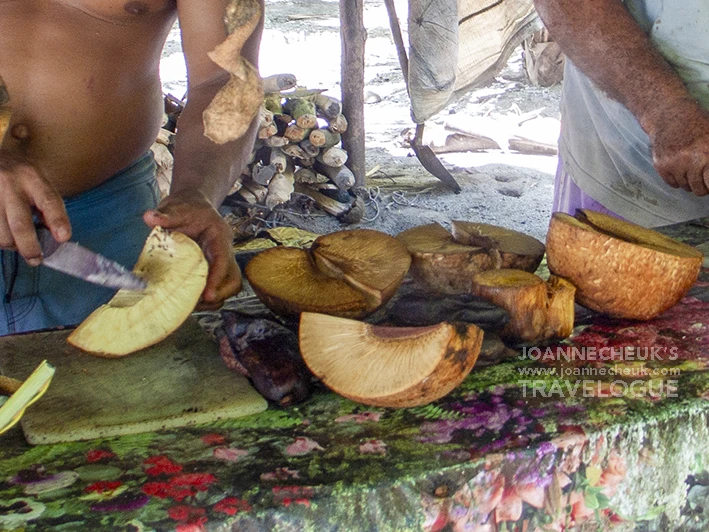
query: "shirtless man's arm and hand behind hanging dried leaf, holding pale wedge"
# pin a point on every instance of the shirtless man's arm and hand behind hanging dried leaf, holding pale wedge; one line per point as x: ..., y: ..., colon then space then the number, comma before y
x: 204, y: 171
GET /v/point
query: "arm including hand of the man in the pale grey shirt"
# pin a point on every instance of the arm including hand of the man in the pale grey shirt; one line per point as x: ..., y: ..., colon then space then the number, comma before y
x: 603, y: 40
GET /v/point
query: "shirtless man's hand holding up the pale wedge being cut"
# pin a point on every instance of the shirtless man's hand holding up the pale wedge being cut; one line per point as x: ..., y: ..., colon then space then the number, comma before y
x: 191, y: 213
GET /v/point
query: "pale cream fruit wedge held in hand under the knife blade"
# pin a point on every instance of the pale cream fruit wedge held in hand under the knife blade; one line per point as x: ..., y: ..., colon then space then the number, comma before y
x: 176, y: 272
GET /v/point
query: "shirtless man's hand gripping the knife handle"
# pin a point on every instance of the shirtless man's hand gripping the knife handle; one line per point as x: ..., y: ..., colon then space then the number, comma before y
x: 24, y: 192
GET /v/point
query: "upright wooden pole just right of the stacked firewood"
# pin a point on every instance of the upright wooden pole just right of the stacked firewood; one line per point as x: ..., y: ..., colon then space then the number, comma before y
x: 353, y: 35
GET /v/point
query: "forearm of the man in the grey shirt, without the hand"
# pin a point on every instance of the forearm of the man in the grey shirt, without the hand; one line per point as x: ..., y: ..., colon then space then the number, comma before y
x: 603, y: 40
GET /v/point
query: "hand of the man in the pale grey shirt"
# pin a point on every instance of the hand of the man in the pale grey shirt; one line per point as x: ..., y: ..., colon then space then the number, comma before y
x: 680, y: 147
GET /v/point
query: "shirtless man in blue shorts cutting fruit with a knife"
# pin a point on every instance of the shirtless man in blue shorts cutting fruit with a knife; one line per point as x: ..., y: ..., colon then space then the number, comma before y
x: 82, y: 76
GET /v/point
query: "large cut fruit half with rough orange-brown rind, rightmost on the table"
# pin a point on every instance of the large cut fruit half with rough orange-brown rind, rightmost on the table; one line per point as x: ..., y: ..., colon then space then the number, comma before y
x: 619, y: 268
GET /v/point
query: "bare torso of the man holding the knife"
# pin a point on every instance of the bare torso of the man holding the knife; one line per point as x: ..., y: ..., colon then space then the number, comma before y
x: 83, y: 82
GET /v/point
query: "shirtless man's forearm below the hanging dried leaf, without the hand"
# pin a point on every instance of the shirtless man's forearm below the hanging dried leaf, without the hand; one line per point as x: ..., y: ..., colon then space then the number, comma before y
x: 201, y: 164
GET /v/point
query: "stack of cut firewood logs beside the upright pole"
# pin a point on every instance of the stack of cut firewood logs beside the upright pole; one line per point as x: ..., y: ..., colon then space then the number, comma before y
x: 298, y: 150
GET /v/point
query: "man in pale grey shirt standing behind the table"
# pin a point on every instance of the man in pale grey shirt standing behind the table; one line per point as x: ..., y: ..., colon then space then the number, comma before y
x: 635, y: 119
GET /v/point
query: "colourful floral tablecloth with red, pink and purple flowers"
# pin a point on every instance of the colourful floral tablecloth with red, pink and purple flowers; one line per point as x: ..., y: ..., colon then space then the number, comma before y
x: 606, y: 431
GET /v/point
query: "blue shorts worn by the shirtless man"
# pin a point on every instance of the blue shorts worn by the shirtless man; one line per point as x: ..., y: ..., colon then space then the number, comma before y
x: 107, y: 219
